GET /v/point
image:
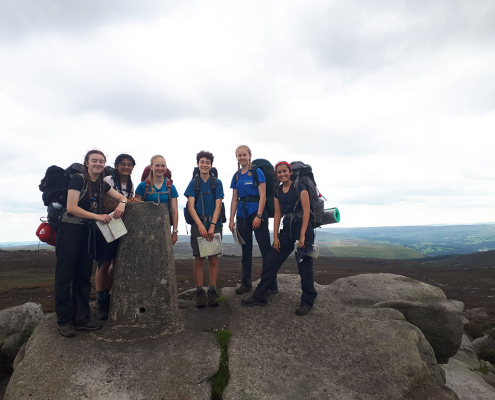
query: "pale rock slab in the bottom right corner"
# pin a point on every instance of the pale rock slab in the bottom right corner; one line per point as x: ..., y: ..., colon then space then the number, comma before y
x: 466, y: 383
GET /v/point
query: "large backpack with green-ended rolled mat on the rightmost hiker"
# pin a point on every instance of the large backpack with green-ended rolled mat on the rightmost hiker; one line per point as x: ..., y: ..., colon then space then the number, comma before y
x: 303, y: 173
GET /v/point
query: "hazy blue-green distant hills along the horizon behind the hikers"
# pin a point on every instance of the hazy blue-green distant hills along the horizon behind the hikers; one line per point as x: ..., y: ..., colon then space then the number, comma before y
x: 401, y: 242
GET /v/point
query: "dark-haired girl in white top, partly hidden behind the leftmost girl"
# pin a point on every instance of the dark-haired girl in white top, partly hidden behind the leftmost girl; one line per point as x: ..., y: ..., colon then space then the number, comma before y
x: 106, y: 252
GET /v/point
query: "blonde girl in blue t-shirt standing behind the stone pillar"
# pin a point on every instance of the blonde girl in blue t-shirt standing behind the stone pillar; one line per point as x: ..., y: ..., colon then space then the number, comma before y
x: 158, y: 191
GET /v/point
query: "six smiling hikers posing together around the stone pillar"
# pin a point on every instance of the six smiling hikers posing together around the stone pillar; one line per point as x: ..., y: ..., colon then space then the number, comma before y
x: 91, y: 196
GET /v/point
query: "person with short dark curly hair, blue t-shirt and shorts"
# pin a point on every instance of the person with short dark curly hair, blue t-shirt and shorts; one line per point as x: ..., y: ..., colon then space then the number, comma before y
x: 206, y: 216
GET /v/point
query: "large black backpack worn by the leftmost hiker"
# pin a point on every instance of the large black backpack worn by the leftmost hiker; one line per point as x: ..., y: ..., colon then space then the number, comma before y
x: 54, y: 188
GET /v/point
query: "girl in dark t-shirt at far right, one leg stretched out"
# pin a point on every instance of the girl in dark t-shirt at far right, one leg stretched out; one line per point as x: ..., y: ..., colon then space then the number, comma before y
x: 297, y: 225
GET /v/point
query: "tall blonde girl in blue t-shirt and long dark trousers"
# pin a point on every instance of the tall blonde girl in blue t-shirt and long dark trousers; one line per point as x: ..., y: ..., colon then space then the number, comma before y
x: 248, y: 201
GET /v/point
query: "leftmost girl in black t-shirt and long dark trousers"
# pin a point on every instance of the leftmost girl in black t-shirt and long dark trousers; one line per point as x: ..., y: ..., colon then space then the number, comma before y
x: 75, y: 244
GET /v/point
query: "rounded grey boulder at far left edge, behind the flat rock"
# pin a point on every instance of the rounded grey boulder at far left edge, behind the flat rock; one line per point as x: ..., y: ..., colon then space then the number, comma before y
x: 20, y: 319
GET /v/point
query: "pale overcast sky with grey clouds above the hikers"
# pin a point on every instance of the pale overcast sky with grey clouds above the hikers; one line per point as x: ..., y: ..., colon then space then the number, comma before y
x: 392, y: 102
